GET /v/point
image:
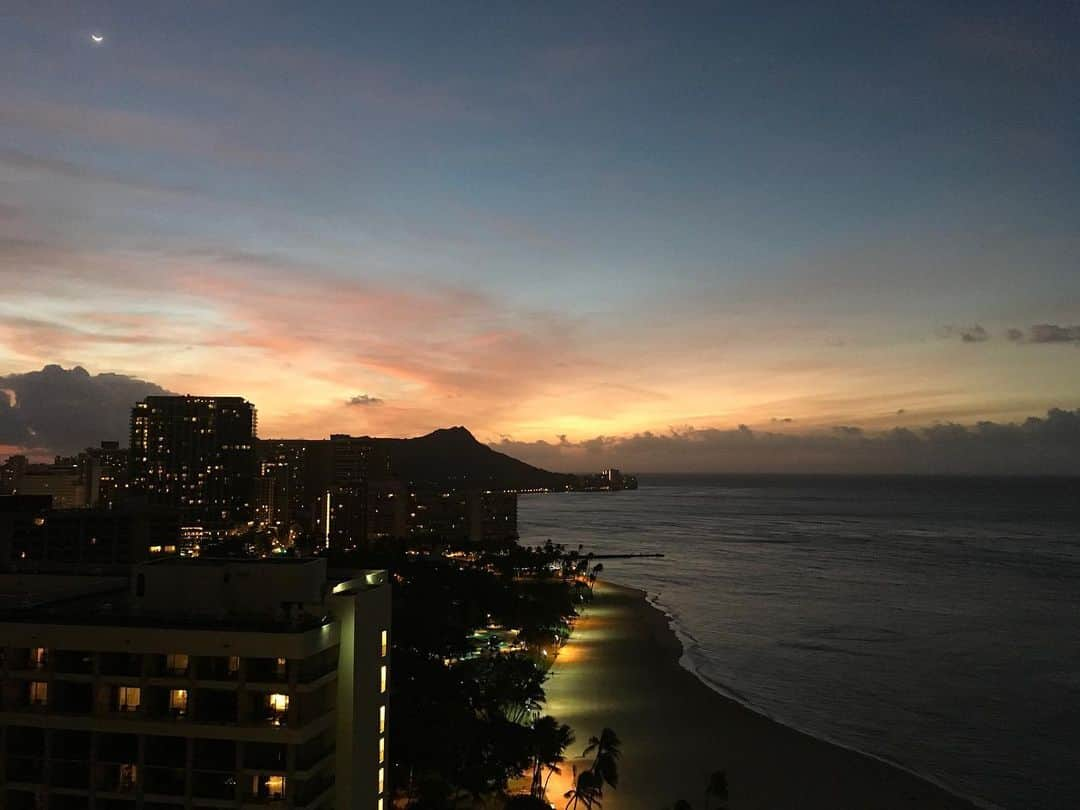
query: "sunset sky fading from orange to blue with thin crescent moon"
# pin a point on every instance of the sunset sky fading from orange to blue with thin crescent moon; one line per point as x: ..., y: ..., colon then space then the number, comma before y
x: 551, y: 223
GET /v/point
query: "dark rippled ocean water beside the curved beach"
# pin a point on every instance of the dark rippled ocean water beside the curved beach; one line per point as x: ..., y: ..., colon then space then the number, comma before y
x: 931, y: 623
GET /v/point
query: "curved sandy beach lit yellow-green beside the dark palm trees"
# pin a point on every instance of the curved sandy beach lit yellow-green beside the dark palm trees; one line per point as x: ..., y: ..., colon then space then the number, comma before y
x: 622, y: 670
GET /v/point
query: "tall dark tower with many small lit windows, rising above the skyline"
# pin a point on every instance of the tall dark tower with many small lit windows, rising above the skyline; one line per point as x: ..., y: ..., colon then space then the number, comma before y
x: 196, y: 454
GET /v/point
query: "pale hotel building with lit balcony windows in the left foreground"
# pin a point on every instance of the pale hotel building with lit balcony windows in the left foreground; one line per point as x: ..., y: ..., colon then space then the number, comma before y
x: 196, y: 684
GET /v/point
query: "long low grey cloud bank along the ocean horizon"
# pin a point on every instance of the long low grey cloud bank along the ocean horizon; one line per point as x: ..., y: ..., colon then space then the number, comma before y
x: 1036, y: 447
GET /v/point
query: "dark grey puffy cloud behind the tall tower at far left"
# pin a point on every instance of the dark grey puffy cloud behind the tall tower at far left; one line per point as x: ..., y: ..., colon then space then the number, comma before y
x: 59, y: 411
